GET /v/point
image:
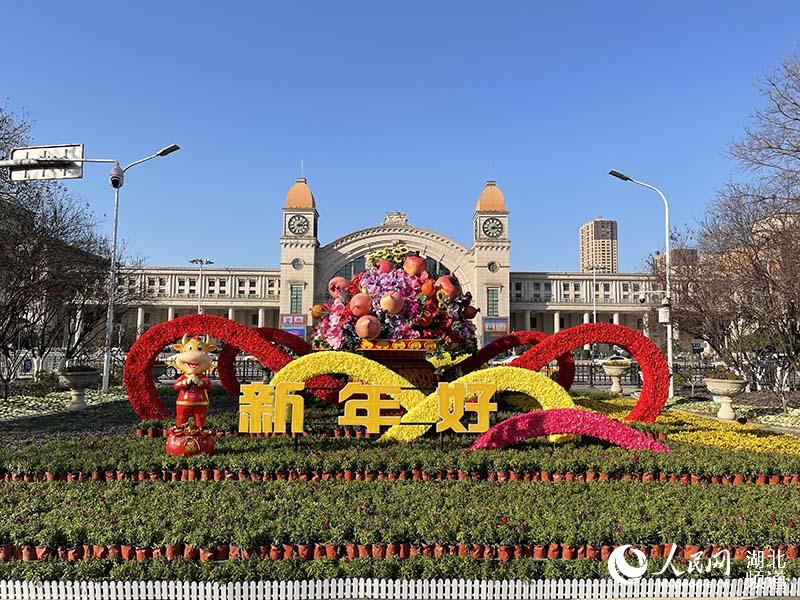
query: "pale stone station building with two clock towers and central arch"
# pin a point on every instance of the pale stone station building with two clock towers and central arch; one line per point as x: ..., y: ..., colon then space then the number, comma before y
x: 522, y: 300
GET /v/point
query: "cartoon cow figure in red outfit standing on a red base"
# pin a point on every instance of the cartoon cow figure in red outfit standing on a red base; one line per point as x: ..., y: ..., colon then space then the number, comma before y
x: 193, y: 361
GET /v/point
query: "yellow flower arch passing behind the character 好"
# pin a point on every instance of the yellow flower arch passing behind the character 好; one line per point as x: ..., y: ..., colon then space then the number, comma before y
x: 514, y: 379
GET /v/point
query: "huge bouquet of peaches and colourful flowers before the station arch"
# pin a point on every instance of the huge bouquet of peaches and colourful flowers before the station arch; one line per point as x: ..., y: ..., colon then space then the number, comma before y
x: 394, y: 299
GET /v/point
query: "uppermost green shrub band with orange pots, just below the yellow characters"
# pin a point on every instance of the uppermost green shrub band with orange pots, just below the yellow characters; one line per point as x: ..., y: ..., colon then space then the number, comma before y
x: 318, y: 457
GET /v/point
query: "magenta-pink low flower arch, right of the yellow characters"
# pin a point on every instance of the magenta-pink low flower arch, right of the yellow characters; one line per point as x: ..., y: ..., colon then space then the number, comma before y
x: 565, y: 420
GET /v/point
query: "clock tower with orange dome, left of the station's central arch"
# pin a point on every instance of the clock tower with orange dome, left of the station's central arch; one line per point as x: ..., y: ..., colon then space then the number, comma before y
x: 299, y: 245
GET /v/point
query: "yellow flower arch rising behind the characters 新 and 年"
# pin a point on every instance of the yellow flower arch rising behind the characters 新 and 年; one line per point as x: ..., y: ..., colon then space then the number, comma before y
x: 354, y: 365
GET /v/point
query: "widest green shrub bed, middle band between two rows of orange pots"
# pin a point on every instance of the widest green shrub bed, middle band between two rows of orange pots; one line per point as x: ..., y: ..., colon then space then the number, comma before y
x: 257, y: 516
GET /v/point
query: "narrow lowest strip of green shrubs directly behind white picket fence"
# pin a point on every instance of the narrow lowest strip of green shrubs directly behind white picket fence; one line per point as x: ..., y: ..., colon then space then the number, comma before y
x: 417, y: 567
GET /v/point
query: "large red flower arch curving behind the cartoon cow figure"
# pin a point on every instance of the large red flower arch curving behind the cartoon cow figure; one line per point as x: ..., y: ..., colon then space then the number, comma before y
x: 139, y: 383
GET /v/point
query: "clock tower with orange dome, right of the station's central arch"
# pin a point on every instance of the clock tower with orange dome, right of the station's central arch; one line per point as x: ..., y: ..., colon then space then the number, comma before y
x: 491, y: 250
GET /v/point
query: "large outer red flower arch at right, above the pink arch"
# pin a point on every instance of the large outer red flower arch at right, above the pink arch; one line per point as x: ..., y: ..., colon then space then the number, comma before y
x: 651, y: 361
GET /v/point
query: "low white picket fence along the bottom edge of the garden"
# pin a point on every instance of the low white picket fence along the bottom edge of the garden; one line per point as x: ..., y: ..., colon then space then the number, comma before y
x: 414, y: 589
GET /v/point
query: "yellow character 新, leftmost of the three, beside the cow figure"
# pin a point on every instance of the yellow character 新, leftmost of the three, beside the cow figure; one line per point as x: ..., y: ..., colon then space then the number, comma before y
x: 264, y: 408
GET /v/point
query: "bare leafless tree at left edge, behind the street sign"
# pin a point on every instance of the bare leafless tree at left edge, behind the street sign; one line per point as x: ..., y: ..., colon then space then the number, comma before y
x: 54, y: 267
